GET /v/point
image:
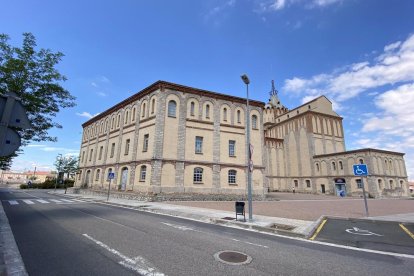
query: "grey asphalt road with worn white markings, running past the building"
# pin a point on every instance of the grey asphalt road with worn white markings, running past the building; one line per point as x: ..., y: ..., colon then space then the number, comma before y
x: 76, y: 238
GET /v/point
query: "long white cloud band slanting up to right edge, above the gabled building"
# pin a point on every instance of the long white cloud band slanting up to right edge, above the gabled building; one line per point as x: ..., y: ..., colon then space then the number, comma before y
x: 395, y: 65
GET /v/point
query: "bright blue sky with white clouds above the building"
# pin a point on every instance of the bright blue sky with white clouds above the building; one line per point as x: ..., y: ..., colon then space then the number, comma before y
x: 359, y: 53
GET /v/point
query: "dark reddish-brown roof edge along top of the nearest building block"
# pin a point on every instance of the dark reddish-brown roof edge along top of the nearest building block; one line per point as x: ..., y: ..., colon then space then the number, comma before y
x: 161, y: 85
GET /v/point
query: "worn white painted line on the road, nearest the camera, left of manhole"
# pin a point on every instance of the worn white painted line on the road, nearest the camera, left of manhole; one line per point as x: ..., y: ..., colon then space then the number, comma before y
x: 138, y: 264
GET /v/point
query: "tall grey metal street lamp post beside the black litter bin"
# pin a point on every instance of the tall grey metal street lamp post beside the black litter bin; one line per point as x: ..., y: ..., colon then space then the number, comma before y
x: 246, y: 80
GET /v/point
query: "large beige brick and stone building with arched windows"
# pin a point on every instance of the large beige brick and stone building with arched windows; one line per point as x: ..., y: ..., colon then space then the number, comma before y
x: 170, y: 138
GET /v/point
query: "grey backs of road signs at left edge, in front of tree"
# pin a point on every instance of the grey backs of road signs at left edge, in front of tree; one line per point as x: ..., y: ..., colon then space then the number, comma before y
x: 13, y: 116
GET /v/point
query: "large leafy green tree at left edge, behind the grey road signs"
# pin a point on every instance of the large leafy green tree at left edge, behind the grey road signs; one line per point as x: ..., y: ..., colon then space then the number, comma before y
x: 33, y: 76
